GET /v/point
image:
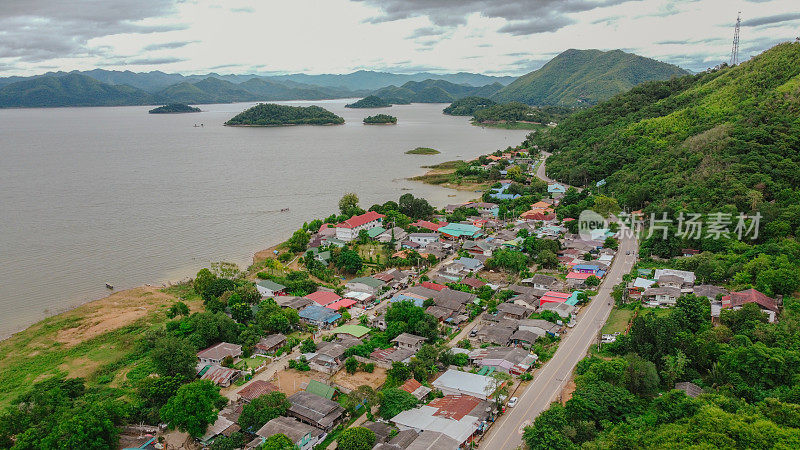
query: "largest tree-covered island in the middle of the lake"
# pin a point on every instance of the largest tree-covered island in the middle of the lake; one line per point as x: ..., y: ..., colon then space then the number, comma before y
x: 272, y: 115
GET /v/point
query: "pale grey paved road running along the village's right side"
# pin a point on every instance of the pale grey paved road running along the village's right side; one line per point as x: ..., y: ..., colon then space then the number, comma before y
x: 506, y: 433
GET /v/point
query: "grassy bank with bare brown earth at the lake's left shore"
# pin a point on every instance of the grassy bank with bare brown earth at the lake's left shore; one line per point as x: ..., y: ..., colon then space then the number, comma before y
x: 95, y: 341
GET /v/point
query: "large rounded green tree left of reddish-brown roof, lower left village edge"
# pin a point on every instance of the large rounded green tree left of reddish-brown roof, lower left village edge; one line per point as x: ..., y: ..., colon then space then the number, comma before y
x: 193, y: 408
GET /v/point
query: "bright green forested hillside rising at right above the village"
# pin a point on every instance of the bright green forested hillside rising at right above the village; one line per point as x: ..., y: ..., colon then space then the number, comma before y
x: 726, y: 137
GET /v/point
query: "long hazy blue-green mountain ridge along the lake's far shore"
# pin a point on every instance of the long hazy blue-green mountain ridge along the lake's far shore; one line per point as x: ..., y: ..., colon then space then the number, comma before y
x: 116, y: 88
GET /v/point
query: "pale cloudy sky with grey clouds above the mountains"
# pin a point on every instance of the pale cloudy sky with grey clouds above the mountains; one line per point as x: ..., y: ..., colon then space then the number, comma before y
x: 338, y: 36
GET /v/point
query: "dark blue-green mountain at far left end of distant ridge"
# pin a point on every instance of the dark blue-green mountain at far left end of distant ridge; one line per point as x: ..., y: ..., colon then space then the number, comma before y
x: 69, y: 90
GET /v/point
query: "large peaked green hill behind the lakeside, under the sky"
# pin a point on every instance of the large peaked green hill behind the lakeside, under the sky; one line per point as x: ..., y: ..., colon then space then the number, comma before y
x: 585, y: 77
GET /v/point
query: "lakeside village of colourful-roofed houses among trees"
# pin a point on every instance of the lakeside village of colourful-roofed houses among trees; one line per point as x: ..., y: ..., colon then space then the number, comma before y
x: 431, y: 350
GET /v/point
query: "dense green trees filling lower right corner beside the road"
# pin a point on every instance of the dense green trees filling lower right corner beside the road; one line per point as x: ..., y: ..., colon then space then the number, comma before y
x: 747, y: 368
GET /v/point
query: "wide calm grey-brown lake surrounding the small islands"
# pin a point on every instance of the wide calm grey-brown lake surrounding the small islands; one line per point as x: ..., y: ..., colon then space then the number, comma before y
x: 90, y: 196
